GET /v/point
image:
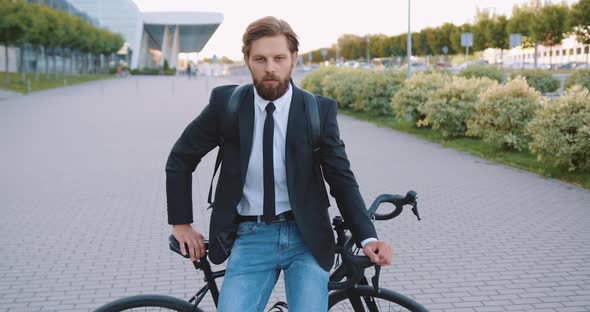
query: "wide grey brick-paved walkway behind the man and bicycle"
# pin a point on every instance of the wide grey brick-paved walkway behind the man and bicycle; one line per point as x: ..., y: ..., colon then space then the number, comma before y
x: 83, y: 208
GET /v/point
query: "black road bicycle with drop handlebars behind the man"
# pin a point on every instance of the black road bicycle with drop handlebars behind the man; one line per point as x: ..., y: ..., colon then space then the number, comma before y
x: 349, y: 287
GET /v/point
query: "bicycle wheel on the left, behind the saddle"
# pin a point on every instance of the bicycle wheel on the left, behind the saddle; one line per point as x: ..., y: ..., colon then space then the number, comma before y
x: 148, y: 303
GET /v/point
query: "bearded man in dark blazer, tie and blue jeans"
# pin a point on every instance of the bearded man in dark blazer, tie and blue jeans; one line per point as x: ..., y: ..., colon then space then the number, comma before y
x: 270, y: 184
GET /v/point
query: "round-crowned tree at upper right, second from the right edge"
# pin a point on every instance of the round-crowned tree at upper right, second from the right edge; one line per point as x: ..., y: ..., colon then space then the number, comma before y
x: 550, y: 25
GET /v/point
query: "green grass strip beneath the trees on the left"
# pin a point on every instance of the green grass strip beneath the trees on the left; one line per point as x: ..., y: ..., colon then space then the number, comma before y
x: 16, y: 86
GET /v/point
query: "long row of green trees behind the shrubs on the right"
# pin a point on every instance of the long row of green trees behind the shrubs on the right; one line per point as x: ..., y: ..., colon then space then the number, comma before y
x: 546, y: 25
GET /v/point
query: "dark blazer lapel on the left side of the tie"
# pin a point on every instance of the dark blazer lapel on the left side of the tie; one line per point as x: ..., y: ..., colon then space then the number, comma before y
x: 246, y: 128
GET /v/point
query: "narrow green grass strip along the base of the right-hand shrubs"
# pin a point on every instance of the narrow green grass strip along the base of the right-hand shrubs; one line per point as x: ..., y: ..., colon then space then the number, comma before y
x: 477, y: 147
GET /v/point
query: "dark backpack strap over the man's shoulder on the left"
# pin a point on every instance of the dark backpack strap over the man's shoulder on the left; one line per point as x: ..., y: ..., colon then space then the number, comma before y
x: 229, y: 120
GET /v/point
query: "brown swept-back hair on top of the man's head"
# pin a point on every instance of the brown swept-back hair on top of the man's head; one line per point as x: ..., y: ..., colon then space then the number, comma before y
x: 269, y: 26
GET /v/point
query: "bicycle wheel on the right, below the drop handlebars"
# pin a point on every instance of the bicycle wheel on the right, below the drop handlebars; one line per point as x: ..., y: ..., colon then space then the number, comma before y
x: 365, y: 298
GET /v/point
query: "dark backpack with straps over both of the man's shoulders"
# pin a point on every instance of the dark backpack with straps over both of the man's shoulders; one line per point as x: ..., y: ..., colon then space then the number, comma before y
x: 230, y: 118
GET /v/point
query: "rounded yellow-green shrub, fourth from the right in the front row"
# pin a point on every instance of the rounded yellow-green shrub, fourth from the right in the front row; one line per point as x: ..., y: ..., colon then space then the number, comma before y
x: 410, y: 99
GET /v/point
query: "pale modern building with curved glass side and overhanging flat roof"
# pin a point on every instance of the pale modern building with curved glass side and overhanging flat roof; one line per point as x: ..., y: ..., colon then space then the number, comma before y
x: 152, y: 37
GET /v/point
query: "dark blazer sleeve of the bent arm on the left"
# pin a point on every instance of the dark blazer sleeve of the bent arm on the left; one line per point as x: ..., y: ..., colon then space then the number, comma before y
x: 199, y: 137
